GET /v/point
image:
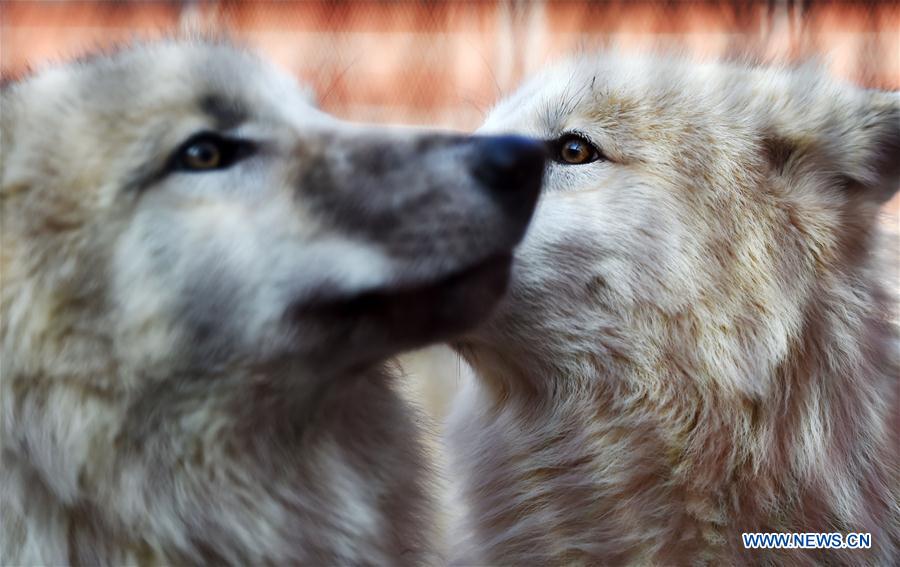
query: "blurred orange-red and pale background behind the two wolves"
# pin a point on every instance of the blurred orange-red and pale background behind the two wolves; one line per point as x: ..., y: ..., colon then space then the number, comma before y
x: 445, y: 63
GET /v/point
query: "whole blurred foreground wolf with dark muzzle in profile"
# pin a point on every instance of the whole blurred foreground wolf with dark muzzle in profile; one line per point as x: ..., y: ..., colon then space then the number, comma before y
x: 203, y: 276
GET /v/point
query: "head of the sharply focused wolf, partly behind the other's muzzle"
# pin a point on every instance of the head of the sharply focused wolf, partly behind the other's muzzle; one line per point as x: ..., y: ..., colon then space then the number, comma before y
x: 708, y: 204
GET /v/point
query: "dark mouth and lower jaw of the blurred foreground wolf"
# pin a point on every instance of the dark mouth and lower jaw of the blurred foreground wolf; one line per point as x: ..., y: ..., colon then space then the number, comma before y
x: 424, y: 312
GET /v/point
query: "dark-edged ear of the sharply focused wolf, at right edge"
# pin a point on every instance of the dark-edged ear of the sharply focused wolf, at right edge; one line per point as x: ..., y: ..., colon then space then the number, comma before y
x: 871, y: 147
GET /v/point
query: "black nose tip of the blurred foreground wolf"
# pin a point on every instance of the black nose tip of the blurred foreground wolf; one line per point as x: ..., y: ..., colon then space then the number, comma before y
x: 511, y: 168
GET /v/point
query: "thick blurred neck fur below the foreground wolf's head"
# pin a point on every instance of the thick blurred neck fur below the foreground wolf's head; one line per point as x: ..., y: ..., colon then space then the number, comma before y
x: 230, y: 476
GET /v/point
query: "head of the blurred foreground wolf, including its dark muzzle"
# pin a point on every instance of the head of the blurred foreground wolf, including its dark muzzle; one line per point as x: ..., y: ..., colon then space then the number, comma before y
x: 177, y: 218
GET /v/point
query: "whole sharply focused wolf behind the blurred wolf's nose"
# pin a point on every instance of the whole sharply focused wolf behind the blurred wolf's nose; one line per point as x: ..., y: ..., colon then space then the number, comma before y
x: 697, y: 340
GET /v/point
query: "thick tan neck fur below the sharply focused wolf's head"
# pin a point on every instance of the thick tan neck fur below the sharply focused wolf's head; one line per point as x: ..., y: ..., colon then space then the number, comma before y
x: 589, y: 455
